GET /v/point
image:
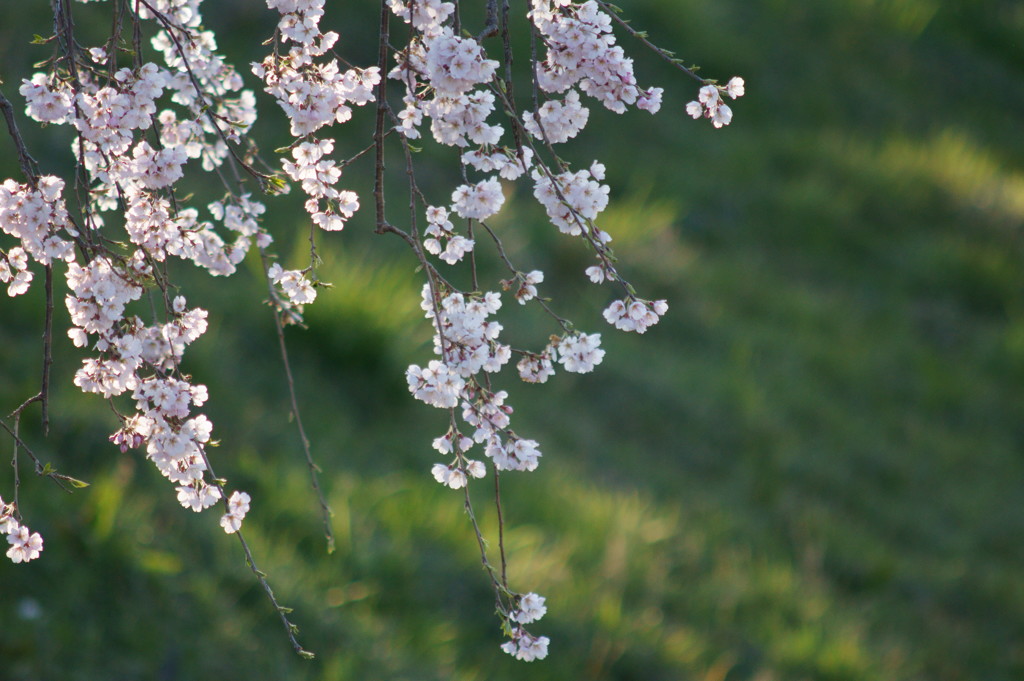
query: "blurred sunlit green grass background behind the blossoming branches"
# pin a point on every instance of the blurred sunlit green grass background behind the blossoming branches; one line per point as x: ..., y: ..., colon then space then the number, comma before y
x: 812, y: 470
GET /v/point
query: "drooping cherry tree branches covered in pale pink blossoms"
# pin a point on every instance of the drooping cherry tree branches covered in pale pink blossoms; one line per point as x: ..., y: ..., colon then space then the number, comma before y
x: 157, y: 103
